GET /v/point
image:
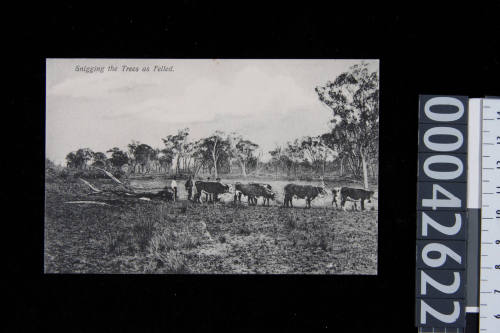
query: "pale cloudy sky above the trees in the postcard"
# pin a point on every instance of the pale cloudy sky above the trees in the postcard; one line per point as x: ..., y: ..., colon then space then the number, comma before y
x: 268, y: 101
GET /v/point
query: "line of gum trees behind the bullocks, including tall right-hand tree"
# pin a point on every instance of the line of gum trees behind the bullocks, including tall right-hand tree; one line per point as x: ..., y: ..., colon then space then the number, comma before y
x: 351, y: 146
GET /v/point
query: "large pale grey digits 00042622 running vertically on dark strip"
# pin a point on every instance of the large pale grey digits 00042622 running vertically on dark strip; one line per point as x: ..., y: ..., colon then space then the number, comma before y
x: 438, y: 254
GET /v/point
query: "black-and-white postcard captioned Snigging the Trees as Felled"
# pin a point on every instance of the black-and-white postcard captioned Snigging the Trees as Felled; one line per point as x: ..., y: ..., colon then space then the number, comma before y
x: 211, y: 166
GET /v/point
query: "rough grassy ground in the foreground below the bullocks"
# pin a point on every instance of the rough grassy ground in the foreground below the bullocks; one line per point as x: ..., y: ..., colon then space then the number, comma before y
x: 135, y: 236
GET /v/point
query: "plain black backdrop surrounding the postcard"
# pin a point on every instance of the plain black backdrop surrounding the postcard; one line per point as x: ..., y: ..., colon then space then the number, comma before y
x: 424, y: 50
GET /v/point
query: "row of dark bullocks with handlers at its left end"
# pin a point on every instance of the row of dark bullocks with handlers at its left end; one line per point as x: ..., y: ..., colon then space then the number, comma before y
x: 253, y: 191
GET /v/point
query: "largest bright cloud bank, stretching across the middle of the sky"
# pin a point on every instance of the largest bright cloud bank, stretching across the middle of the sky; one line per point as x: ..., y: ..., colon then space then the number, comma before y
x: 251, y: 92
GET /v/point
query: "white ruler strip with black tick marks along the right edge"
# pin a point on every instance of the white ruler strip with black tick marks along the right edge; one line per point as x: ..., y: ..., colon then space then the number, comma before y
x: 489, y: 285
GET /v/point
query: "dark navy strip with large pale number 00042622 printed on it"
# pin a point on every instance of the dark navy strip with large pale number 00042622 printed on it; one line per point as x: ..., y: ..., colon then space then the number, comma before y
x: 441, y: 224
